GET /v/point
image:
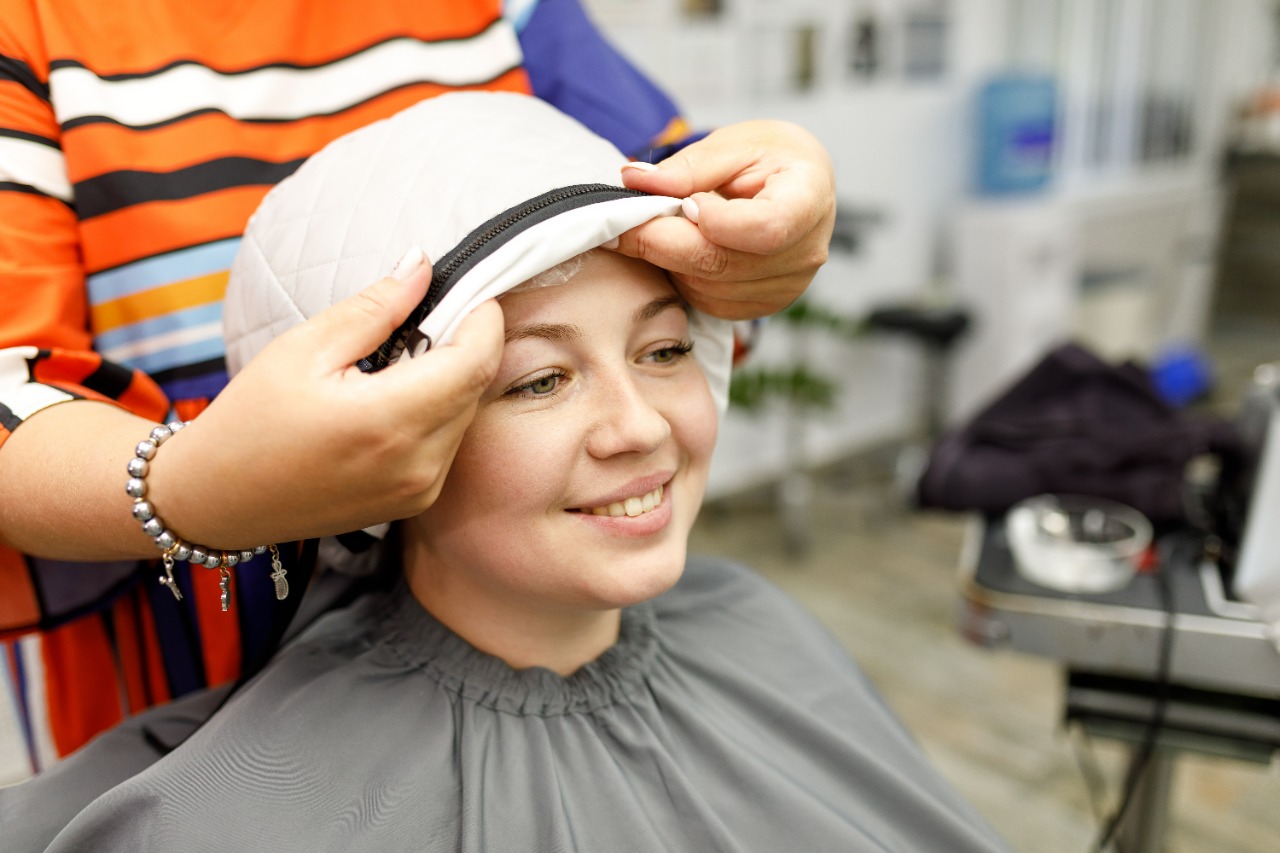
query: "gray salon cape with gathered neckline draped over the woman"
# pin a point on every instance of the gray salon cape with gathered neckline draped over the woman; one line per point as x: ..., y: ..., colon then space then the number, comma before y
x: 725, y: 719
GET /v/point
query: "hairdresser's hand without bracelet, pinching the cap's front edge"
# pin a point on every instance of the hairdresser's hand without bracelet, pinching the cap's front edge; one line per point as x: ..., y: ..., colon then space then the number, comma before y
x: 764, y: 199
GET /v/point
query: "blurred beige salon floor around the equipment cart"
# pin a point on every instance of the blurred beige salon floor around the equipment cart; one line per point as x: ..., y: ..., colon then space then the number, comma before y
x: 884, y: 581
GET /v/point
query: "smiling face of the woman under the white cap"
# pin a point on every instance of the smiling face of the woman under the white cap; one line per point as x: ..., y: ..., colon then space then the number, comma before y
x: 579, y: 481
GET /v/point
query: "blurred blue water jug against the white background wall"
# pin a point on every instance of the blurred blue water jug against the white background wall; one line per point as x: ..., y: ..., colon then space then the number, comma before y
x: 1017, y: 129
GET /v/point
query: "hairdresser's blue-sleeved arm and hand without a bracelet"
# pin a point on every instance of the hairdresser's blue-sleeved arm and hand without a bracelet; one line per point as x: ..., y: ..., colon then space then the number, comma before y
x: 762, y: 194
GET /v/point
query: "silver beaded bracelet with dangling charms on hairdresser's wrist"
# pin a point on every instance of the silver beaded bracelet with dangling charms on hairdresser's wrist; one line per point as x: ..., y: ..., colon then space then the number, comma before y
x: 175, y: 548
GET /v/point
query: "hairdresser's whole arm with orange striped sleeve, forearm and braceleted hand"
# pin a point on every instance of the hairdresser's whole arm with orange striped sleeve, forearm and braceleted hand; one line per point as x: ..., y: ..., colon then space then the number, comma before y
x: 300, y: 445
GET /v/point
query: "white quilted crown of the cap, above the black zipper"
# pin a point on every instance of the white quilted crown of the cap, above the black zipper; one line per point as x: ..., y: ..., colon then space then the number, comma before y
x: 354, y: 209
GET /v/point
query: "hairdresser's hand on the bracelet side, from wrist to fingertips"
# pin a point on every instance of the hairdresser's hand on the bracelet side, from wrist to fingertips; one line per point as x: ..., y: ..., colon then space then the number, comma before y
x: 303, y: 444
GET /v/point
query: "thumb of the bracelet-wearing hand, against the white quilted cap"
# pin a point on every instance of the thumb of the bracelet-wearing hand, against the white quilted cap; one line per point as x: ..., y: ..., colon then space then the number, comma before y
x: 351, y: 330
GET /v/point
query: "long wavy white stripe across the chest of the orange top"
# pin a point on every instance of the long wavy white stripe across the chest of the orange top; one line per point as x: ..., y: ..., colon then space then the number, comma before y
x: 285, y: 93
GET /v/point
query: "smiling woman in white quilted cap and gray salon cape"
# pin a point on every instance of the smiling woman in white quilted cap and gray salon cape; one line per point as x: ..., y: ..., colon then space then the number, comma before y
x: 543, y: 668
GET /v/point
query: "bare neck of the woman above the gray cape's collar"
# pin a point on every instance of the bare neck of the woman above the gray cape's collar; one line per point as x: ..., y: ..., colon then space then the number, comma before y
x: 509, y: 628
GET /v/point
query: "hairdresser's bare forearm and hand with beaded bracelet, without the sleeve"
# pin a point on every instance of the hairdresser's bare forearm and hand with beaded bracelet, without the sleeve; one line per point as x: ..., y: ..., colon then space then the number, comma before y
x: 299, y: 445
